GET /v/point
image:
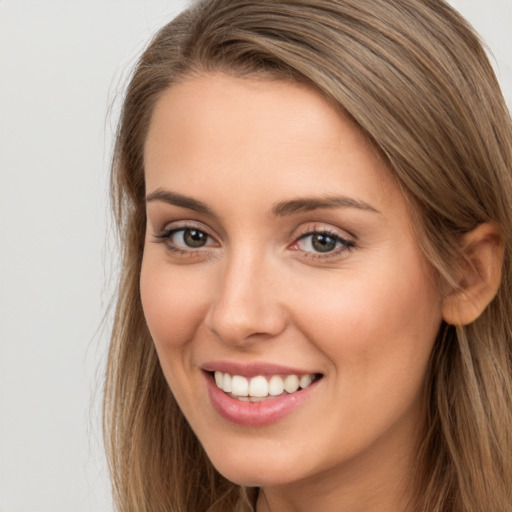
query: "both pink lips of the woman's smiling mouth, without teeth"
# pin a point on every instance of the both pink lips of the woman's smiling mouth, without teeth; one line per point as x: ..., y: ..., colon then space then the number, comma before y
x: 254, y: 414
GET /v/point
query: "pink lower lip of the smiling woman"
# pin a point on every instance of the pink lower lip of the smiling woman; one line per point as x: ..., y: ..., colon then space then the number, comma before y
x: 256, y: 414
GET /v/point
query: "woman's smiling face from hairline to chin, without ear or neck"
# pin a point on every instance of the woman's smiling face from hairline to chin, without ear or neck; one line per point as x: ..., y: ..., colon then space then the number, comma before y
x: 280, y: 251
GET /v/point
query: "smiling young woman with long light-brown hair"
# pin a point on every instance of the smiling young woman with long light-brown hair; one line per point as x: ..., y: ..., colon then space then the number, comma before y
x: 314, y: 309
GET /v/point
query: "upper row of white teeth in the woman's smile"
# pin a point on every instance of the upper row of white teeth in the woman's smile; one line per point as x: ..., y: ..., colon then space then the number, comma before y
x: 260, y: 386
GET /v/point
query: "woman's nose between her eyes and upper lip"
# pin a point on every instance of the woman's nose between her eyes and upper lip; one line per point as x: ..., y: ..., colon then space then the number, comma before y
x: 246, y: 304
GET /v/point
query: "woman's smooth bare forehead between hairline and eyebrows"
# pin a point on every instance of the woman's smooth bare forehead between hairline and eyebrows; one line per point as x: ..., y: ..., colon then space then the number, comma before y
x: 252, y: 135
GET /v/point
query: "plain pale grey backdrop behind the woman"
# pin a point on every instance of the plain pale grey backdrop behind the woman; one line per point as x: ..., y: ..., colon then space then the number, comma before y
x: 63, y: 66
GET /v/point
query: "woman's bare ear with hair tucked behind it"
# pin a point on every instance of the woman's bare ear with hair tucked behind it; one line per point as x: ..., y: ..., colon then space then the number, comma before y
x: 480, y: 275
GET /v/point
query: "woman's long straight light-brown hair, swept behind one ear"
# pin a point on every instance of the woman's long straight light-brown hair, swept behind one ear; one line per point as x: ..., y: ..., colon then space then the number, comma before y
x: 415, y: 78
